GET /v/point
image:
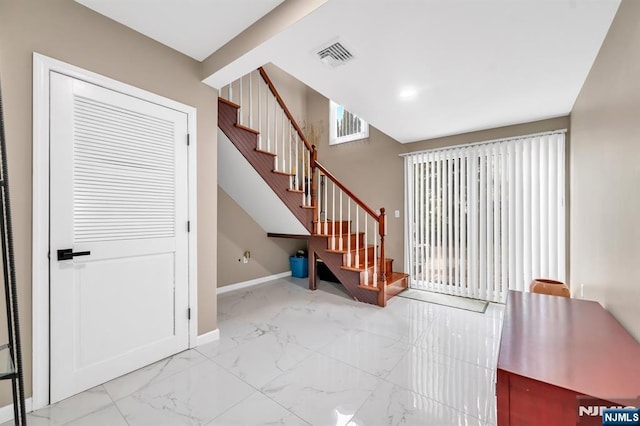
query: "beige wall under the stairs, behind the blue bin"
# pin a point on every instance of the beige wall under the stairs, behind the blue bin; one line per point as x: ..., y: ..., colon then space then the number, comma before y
x: 238, y: 233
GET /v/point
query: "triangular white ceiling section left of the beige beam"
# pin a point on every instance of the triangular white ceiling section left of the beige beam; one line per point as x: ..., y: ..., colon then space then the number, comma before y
x: 196, y: 28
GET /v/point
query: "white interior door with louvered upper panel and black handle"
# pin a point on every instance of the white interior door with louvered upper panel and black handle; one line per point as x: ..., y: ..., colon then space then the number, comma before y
x: 118, y: 205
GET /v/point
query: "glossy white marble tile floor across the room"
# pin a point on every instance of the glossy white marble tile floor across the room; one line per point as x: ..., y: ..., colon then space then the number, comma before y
x: 290, y: 356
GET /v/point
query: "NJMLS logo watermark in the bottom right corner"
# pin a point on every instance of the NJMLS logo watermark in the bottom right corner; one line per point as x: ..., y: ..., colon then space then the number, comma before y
x: 596, y: 412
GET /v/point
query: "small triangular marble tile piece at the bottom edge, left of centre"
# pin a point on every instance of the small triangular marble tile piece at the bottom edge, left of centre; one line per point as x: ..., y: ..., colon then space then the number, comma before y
x: 258, y: 410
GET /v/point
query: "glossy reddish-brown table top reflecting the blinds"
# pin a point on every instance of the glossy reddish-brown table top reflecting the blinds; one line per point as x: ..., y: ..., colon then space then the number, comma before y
x: 570, y: 343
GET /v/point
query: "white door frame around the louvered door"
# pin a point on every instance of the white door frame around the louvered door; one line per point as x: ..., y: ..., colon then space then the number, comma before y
x: 42, y: 67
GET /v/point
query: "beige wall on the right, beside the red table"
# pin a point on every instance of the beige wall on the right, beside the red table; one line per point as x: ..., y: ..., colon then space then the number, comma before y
x: 605, y: 174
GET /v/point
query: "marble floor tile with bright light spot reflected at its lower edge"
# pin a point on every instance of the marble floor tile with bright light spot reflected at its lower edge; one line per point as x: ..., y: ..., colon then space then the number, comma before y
x: 321, y: 390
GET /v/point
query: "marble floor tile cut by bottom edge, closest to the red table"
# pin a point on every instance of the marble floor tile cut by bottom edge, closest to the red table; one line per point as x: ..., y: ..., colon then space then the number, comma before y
x: 391, y: 405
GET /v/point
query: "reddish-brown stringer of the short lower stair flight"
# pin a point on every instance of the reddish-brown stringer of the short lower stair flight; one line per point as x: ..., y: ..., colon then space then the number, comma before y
x: 349, y: 279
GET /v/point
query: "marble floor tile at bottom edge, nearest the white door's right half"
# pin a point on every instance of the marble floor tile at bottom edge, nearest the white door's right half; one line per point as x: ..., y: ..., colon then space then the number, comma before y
x: 194, y: 397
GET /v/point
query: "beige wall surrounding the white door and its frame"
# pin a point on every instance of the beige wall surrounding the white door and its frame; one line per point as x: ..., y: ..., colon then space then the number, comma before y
x: 67, y: 31
